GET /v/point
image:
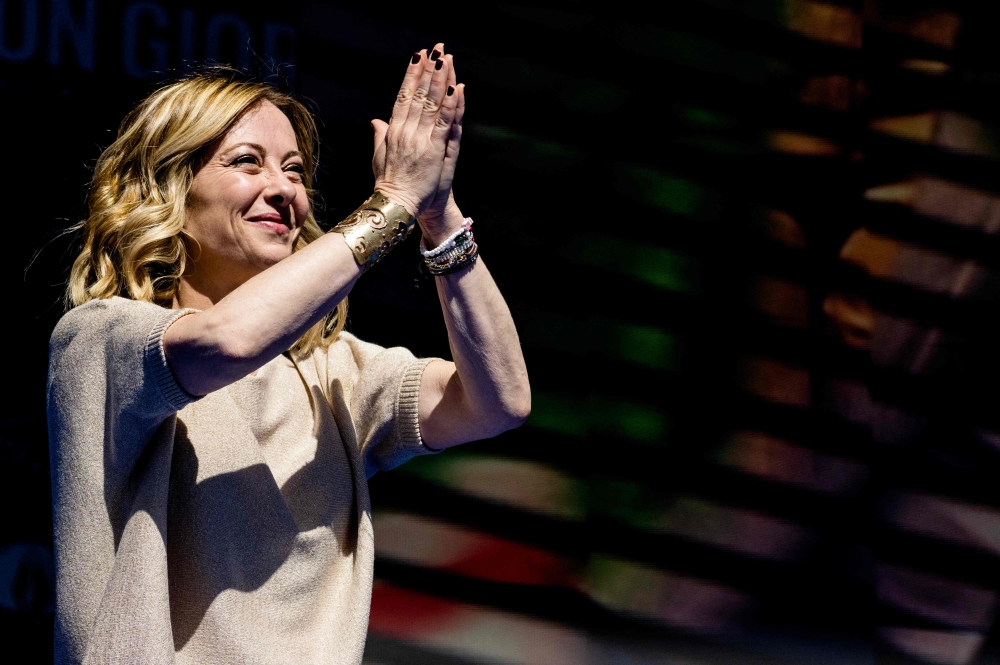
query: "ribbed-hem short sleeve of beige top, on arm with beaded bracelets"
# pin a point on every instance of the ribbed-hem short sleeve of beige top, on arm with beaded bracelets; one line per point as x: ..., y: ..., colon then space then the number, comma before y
x: 383, y: 402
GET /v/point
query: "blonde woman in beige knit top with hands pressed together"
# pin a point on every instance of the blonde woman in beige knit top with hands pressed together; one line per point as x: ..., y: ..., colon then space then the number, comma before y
x: 211, y: 426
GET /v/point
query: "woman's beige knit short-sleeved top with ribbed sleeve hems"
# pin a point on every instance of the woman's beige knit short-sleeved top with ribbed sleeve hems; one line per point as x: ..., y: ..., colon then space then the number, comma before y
x: 234, y: 528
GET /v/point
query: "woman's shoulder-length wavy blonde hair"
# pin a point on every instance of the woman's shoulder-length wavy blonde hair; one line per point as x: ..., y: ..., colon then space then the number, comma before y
x: 134, y: 244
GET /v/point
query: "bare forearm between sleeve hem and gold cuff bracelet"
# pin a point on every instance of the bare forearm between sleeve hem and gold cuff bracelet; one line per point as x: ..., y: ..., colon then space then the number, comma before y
x: 261, y: 318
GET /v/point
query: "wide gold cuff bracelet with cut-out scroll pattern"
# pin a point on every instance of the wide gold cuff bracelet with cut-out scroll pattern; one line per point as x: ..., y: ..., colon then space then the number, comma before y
x: 375, y: 228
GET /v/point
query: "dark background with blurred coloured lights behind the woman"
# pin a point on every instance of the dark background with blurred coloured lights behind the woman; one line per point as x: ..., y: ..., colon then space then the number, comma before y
x: 752, y: 250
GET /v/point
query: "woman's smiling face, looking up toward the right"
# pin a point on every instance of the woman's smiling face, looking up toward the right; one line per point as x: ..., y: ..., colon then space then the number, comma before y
x: 247, y: 202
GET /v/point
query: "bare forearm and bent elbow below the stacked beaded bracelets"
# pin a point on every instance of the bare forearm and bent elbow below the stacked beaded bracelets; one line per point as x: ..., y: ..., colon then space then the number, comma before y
x: 487, y: 392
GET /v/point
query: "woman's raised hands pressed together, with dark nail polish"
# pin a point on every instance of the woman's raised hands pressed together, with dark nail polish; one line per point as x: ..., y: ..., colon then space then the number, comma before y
x: 417, y: 150
